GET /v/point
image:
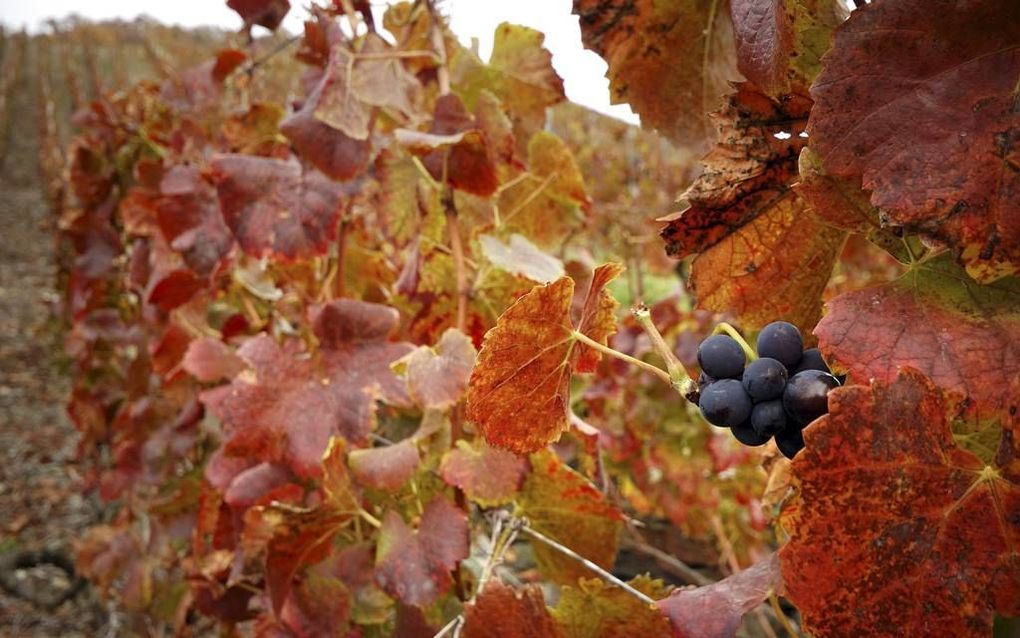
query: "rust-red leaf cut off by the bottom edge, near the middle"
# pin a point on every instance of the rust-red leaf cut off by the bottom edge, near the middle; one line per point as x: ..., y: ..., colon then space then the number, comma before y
x: 501, y: 612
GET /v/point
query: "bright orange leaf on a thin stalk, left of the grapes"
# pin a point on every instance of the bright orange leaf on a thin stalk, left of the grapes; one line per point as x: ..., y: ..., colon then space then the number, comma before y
x: 519, y: 392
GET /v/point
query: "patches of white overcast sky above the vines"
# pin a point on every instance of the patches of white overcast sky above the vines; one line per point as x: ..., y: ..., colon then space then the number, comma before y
x: 583, y: 72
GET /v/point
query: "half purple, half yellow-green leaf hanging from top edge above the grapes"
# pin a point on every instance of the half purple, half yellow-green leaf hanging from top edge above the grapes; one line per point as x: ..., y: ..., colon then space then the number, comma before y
x: 780, y: 44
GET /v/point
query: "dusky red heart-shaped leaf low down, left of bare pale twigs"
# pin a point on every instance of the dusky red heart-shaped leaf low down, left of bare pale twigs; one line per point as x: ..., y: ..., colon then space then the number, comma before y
x: 415, y: 566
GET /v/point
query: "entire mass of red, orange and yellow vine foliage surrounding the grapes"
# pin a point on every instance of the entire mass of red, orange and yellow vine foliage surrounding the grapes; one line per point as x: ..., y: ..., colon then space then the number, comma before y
x: 351, y: 361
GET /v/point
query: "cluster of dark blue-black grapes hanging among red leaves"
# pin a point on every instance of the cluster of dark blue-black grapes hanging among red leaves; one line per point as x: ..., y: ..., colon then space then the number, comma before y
x: 777, y: 396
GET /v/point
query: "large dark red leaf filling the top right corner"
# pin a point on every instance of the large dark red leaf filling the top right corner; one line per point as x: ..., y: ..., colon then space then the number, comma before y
x: 952, y: 174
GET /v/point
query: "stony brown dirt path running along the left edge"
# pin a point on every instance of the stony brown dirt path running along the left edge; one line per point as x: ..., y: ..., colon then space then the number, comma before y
x: 41, y: 505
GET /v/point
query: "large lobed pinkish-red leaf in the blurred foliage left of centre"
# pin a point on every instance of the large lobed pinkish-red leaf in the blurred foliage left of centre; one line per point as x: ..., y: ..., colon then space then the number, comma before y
x: 286, y: 409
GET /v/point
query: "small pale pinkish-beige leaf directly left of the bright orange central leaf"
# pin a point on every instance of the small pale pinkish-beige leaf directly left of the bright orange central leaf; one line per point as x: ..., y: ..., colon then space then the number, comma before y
x: 438, y: 377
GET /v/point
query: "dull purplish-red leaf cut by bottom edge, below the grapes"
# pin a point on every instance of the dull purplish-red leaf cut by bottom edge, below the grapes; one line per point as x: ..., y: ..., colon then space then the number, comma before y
x: 717, y: 611
